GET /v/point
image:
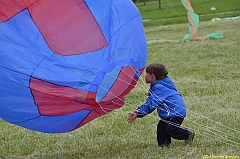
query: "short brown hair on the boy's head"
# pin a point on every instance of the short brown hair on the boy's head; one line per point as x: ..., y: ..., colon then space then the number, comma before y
x: 158, y: 69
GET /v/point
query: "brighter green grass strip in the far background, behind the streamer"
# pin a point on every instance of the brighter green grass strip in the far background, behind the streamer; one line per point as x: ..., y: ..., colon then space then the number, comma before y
x: 173, y: 12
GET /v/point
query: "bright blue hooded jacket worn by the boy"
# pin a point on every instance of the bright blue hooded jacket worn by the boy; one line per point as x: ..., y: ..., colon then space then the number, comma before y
x: 164, y: 97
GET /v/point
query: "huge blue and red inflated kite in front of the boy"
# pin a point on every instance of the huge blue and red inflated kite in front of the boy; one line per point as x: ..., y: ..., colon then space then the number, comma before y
x: 64, y: 63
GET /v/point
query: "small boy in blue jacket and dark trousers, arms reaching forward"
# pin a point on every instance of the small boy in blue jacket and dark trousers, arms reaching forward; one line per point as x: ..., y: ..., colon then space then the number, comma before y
x: 170, y: 106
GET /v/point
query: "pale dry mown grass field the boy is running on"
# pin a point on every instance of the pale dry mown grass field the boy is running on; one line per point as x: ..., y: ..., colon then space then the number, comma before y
x: 207, y: 75
